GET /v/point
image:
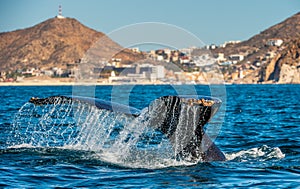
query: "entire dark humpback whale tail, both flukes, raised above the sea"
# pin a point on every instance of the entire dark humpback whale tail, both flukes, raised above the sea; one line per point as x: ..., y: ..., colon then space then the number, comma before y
x: 180, y: 118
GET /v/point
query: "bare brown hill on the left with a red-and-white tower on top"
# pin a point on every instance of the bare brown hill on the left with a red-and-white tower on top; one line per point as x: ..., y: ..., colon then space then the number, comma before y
x: 55, y: 43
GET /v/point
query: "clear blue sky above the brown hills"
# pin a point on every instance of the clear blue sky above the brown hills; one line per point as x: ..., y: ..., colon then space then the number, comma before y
x: 213, y: 21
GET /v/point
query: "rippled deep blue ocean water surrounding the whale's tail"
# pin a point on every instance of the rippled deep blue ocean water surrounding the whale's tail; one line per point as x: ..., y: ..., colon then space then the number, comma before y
x: 257, y: 128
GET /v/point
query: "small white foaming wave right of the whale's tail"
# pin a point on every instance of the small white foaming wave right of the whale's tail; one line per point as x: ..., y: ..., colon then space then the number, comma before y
x: 262, y: 153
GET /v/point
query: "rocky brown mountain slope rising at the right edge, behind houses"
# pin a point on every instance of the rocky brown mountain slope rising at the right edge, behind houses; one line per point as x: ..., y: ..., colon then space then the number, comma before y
x: 281, y: 67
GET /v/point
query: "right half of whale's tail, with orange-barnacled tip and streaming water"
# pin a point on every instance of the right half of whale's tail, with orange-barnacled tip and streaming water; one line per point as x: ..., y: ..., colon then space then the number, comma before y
x: 182, y: 120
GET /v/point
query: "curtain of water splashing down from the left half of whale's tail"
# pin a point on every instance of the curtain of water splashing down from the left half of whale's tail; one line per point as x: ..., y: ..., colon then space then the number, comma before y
x: 115, y: 138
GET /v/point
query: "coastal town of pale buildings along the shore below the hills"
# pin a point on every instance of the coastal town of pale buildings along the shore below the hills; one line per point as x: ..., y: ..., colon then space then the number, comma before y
x: 192, y: 68
